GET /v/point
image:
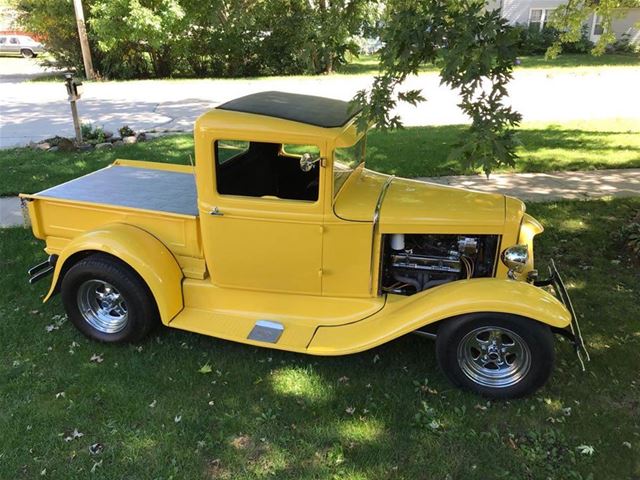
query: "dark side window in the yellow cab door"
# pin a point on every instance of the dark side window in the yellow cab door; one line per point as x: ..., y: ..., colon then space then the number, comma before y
x: 266, y: 170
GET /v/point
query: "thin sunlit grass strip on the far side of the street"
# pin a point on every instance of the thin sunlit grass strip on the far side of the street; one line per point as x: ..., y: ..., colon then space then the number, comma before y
x: 368, y: 64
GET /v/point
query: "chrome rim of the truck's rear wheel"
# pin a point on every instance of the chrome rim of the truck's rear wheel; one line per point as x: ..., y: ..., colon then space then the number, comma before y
x: 102, y: 306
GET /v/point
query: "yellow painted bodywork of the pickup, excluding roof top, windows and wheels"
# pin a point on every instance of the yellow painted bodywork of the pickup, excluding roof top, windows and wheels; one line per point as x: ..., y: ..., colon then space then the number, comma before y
x: 307, y: 265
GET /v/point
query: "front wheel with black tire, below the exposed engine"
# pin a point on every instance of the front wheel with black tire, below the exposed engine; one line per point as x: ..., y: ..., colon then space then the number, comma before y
x: 470, y: 352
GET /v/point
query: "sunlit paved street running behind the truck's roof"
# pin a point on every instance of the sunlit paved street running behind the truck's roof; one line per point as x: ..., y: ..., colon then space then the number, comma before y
x: 32, y: 111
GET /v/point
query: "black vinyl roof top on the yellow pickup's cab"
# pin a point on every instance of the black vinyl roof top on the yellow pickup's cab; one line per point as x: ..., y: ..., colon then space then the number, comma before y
x: 309, y: 109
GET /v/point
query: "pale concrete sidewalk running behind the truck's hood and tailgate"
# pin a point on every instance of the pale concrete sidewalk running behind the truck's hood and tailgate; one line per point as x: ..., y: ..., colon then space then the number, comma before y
x: 531, y: 187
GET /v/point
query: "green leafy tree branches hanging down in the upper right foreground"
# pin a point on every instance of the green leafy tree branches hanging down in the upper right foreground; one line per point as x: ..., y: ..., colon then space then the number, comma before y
x: 476, y: 51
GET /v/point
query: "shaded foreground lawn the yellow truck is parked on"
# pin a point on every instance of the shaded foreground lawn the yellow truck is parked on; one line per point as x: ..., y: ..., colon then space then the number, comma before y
x: 385, y: 413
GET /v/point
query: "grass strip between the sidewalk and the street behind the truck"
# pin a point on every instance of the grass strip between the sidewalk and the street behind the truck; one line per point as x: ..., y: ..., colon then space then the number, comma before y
x: 411, y: 152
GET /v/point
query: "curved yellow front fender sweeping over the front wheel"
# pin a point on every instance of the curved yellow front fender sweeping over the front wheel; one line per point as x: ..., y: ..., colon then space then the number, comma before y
x: 402, y: 314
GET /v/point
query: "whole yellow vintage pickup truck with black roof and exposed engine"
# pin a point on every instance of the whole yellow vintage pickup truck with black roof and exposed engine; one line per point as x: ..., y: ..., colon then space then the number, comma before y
x: 280, y: 237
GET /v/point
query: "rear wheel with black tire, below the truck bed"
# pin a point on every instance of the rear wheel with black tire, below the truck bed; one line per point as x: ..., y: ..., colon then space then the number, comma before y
x: 137, y: 312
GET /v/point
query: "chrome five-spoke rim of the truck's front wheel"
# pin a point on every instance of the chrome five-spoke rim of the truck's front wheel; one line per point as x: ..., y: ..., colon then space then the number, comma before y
x: 494, y: 357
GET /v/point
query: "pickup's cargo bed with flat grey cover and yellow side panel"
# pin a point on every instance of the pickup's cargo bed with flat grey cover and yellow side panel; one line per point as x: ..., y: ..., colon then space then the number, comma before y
x: 156, y: 197
